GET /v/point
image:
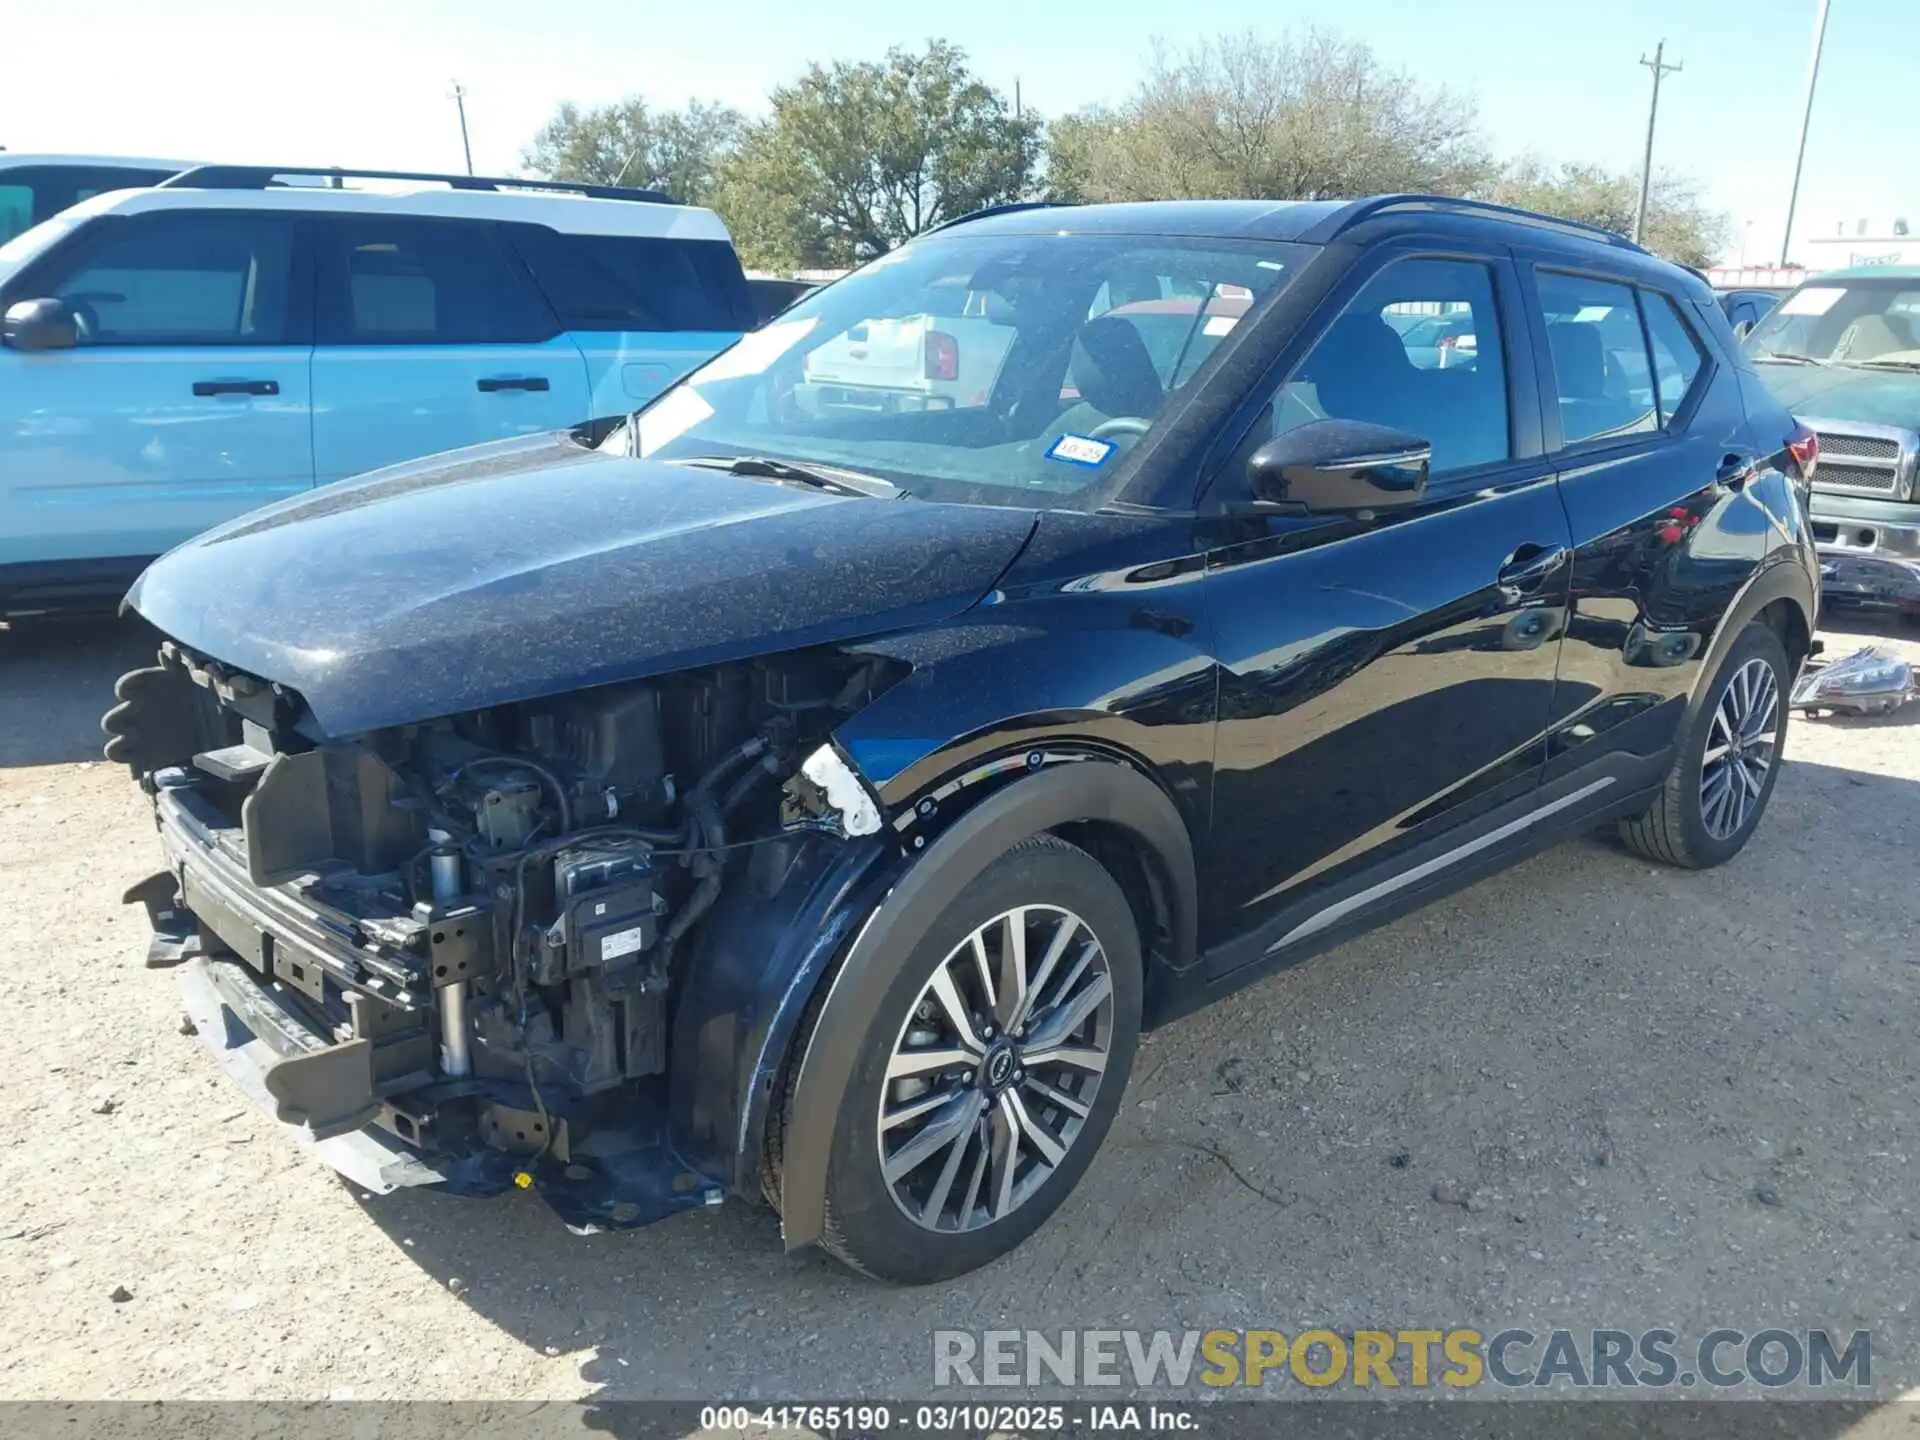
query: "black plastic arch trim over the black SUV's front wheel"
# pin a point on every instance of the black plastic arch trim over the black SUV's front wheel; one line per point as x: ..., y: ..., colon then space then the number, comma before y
x: 1068, y: 794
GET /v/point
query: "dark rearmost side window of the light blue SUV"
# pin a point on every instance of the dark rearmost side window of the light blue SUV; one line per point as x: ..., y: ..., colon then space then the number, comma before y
x: 638, y: 283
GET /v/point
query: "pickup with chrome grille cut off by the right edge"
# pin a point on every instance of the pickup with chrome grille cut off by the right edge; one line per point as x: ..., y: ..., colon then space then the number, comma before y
x: 1844, y: 354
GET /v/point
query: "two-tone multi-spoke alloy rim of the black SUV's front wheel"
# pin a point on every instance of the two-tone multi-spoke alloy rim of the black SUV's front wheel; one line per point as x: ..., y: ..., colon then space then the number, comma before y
x: 996, y: 1068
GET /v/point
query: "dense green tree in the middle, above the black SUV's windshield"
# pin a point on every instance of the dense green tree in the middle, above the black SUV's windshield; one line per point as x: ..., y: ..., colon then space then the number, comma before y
x: 857, y: 158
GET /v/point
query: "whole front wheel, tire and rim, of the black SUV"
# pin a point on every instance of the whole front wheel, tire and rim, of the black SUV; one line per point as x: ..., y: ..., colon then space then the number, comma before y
x: 869, y: 1222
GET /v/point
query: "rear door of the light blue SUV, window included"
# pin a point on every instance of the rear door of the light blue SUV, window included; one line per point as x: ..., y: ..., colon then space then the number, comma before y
x: 431, y: 335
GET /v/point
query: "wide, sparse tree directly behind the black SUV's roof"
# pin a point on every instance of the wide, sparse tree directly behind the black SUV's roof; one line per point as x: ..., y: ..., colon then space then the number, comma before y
x: 1299, y: 118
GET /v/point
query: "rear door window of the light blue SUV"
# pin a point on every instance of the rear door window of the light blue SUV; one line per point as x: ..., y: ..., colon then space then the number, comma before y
x: 425, y: 283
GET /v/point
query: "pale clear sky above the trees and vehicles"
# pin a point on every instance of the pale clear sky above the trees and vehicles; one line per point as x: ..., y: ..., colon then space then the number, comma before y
x: 366, y: 82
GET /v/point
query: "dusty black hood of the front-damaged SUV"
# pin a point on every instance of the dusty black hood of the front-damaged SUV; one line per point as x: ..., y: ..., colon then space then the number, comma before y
x: 535, y: 567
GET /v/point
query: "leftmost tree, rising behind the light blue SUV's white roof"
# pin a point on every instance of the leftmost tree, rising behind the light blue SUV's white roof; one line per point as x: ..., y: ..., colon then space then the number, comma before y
x: 631, y: 143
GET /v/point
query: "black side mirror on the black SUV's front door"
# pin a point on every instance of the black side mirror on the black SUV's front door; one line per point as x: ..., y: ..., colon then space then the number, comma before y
x: 1328, y: 468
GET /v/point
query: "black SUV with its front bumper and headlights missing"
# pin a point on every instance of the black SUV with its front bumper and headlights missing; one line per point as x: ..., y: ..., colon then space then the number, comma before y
x: 813, y: 784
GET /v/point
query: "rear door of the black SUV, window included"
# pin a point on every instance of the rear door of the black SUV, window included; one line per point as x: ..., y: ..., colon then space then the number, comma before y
x: 1654, y: 456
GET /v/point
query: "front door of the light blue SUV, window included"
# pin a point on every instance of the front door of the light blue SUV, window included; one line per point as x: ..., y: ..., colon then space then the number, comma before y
x: 183, y: 404
